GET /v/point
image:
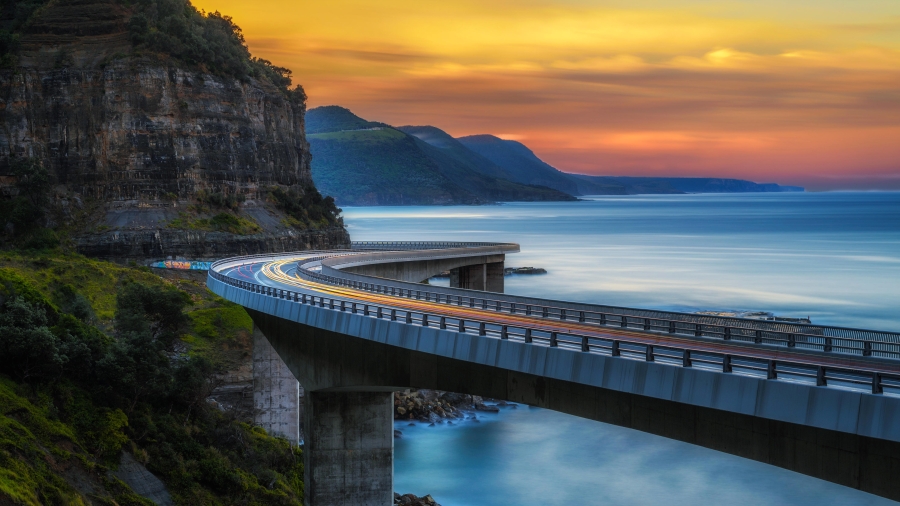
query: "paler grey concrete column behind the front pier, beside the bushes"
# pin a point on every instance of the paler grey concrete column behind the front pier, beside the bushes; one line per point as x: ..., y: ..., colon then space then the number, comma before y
x: 277, y: 395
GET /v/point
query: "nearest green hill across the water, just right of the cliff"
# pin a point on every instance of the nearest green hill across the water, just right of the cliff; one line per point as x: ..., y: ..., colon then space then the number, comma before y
x: 359, y: 162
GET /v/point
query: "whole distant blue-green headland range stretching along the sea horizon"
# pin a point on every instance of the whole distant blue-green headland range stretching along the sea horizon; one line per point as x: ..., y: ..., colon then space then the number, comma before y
x: 361, y: 162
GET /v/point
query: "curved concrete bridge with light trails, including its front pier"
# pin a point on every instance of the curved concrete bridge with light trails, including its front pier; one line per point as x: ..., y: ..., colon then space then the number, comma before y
x: 823, y: 401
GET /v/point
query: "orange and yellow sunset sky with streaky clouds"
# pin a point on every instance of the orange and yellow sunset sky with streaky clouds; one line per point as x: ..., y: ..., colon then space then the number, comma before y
x: 803, y: 92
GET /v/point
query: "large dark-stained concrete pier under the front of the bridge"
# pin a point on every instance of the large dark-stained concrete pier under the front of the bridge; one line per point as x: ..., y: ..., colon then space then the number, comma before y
x: 349, y: 449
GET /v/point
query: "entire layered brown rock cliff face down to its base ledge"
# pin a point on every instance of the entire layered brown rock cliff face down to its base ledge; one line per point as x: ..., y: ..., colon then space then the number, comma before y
x: 140, y: 137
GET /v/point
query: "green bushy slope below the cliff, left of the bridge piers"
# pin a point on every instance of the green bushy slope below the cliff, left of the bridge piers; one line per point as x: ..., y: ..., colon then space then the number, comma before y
x: 98, y: 359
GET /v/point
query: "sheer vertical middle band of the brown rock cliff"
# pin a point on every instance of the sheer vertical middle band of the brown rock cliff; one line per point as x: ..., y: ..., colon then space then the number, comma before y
x: 139, y: 131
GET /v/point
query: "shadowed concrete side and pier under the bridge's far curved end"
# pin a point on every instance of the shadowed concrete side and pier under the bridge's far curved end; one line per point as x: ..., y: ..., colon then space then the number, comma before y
x: 475, y: 273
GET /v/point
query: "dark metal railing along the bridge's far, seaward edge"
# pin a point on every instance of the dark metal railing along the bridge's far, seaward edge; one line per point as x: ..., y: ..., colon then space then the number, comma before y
x: 828, y: 339
